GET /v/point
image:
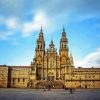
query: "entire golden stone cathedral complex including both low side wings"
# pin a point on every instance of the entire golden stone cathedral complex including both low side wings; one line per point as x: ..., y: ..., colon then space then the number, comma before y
x: 50, y: 69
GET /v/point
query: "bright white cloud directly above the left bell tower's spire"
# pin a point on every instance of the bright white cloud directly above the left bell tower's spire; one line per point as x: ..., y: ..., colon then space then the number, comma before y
x: 38, y: 19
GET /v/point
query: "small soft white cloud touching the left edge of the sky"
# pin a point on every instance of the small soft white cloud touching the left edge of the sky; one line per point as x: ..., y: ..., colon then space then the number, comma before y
x: 8, y: 27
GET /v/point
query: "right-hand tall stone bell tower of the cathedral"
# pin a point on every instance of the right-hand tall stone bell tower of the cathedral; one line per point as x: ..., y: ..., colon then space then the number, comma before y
x: 64, y: 57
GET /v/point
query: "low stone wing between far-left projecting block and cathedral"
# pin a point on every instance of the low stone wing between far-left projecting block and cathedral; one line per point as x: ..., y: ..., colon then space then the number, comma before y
x: 18, y: 76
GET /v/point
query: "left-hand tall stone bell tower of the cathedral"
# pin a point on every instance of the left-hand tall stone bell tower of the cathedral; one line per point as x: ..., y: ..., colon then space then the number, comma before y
x: 40, y: 52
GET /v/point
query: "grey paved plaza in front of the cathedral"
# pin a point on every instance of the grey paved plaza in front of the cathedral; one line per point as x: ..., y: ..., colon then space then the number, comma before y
x: 31, y: 94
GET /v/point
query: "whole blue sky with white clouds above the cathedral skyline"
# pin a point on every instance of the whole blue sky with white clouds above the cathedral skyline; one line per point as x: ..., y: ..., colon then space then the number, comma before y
x: 20, y: 22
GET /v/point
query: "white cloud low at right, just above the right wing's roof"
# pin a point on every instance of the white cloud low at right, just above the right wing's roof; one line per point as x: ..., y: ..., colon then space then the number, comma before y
x: 92, y: 59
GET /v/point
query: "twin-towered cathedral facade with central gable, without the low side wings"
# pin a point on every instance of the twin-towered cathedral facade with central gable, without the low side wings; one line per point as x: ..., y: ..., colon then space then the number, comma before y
x: 49, y: 64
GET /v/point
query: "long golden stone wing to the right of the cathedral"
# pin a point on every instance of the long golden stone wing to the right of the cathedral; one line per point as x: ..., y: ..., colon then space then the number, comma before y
x: 83, y: 78
